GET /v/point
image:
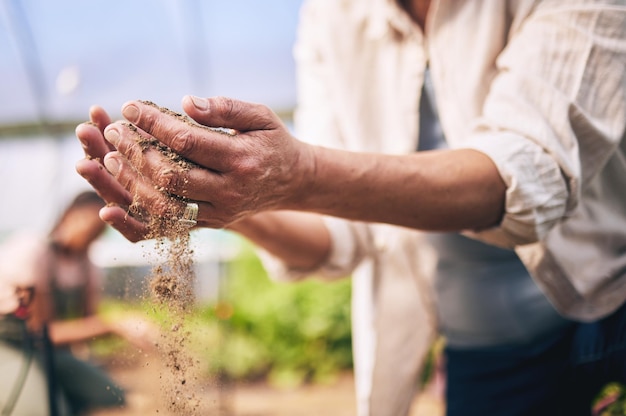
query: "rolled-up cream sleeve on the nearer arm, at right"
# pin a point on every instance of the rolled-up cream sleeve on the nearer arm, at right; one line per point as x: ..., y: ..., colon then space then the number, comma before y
x: 554, y: 114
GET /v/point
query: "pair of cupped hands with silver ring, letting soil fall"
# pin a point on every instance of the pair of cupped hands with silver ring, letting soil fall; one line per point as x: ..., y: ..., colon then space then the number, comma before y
x: 259, y: 166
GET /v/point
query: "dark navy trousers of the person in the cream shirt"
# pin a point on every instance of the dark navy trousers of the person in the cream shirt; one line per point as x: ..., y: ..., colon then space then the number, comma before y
x: 557, y: 375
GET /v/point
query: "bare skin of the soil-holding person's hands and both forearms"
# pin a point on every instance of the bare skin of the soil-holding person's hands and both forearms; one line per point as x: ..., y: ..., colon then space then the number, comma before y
x: 246, y: 179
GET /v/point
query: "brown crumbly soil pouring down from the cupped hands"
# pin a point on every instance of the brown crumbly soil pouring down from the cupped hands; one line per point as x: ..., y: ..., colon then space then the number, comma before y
x: 171, y: 282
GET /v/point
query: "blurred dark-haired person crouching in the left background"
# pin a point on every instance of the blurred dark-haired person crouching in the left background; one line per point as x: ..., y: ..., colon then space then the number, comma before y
x: 63, y: 312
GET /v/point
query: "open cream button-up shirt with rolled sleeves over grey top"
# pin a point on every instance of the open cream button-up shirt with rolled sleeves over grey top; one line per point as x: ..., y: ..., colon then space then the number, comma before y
x: 538, y: 86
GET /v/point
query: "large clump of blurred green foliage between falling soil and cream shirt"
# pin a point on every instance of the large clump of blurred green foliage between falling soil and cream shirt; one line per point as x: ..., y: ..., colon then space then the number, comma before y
x: 289, y: 332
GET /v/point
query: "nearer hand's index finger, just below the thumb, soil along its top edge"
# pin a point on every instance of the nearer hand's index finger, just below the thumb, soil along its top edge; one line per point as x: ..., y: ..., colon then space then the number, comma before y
x: 211, y: 148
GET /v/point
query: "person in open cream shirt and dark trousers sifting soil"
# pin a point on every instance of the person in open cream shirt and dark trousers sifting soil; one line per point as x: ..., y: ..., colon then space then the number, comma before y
x: 496, y: 127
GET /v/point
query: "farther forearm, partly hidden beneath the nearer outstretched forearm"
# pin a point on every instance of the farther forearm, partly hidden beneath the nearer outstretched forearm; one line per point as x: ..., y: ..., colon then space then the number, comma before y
x: 300, y: 239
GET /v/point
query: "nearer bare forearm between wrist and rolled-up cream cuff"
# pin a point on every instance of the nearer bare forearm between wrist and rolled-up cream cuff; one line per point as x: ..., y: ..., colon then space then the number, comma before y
x: 448, y: 190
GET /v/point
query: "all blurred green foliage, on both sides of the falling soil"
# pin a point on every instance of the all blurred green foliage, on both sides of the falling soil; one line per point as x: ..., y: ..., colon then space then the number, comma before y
x: 289, y: 333
